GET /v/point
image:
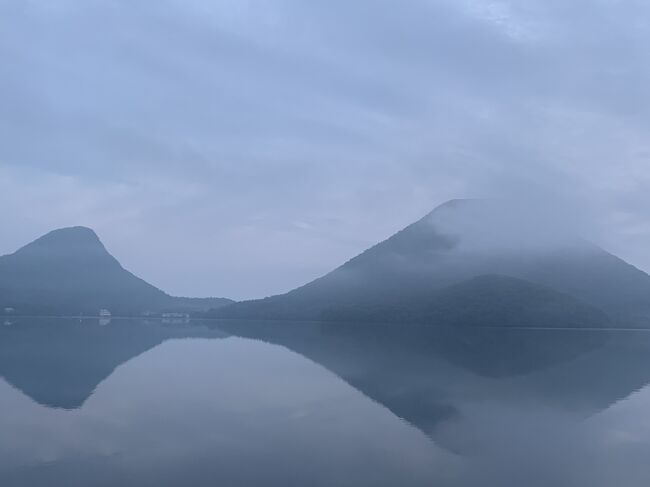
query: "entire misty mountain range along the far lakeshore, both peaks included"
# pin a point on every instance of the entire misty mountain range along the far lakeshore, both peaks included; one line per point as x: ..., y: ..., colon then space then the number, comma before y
x: 485, y: 263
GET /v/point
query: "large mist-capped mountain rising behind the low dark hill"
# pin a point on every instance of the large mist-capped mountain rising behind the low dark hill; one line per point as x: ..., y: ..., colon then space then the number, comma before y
x: 456, y: 242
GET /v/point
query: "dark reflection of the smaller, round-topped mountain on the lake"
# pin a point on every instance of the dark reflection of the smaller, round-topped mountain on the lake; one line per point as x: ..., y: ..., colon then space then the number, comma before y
x: 59, y: 362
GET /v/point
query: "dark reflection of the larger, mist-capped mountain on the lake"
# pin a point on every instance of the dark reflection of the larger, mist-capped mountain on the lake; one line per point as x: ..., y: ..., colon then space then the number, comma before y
x: 429, y: 375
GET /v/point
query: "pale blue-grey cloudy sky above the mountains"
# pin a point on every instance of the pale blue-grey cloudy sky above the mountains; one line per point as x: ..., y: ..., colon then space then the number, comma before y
x: 242, y: 147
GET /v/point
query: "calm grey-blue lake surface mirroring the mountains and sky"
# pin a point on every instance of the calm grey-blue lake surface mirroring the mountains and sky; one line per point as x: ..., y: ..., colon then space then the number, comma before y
x: 134, y: 403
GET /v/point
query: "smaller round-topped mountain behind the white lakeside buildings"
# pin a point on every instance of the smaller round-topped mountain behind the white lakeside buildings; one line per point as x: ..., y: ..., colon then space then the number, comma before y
x: 69, y: 271
